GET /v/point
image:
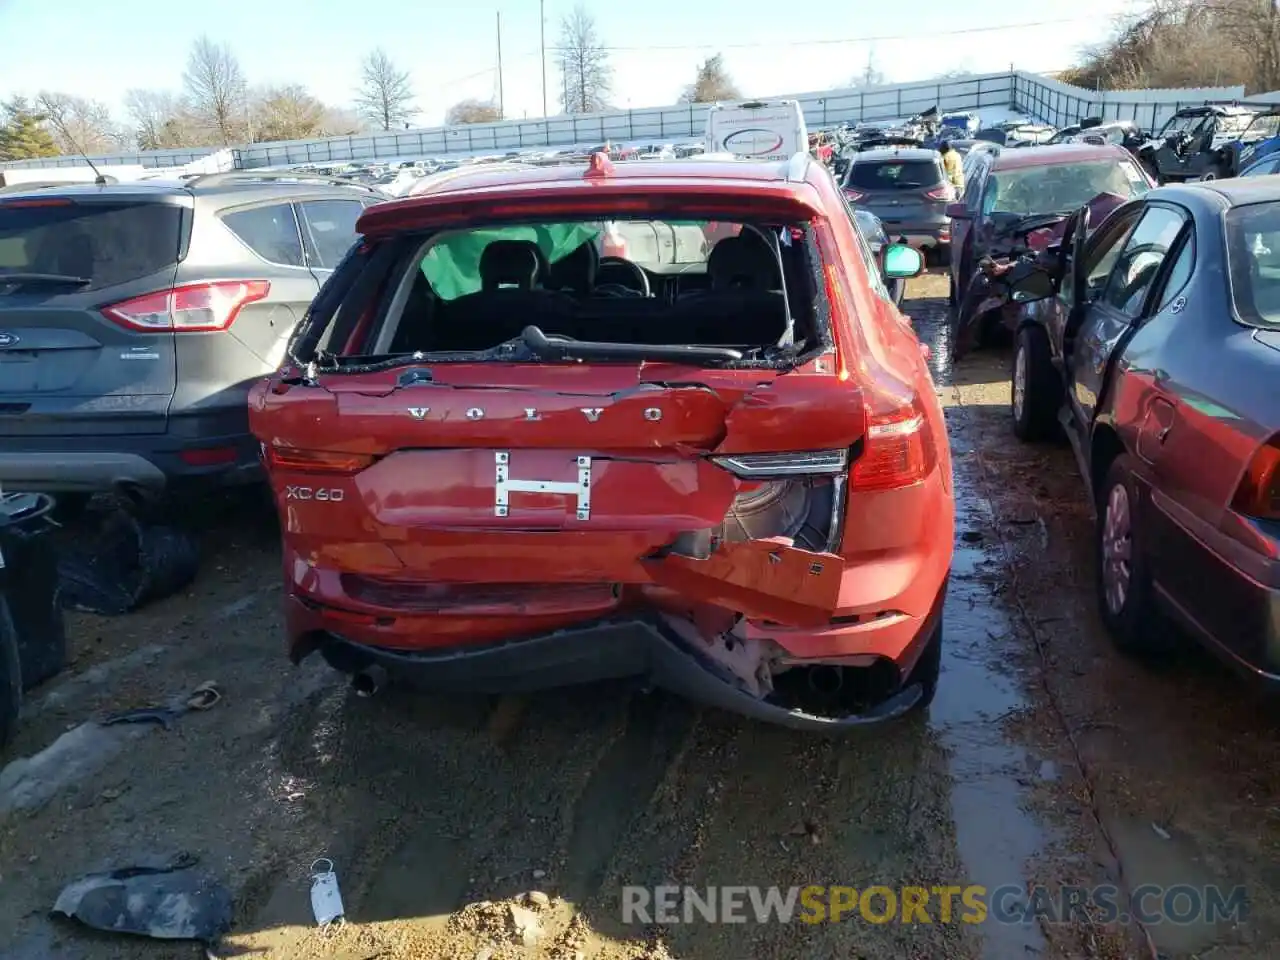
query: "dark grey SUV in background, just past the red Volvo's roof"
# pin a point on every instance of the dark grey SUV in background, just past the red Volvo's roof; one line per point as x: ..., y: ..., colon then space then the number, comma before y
x: 907, y: 189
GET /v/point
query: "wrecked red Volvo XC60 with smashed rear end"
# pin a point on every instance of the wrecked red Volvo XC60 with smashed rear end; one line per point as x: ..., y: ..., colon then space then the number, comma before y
x: 655, y: 420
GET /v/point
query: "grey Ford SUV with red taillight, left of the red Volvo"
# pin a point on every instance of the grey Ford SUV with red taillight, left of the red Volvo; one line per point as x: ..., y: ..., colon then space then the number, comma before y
x: 135, y: 317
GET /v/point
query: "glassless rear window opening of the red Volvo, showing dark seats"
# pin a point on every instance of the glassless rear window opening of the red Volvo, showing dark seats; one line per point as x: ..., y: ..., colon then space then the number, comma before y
x: 647, y: 286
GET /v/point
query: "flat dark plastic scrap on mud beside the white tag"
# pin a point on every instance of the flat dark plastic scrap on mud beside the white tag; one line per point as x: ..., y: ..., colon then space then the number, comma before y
x: 167, y: 902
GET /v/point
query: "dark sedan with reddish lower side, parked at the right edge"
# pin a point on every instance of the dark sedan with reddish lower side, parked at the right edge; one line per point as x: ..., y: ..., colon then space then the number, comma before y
x: 1159, y: 350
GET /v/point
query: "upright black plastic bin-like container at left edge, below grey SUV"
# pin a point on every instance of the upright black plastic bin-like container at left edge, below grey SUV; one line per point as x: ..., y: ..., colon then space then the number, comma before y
x: 29, y: 582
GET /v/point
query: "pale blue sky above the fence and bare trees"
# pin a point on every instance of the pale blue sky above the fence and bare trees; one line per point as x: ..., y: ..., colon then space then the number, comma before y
x: 450, y: 45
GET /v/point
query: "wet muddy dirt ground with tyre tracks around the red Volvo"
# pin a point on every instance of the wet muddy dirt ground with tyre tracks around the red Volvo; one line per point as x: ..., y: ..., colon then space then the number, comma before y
x: 1046, y: 760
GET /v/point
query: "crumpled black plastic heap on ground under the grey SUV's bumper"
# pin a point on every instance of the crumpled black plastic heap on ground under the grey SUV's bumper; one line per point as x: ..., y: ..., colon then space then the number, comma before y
x: 126, y: 565
